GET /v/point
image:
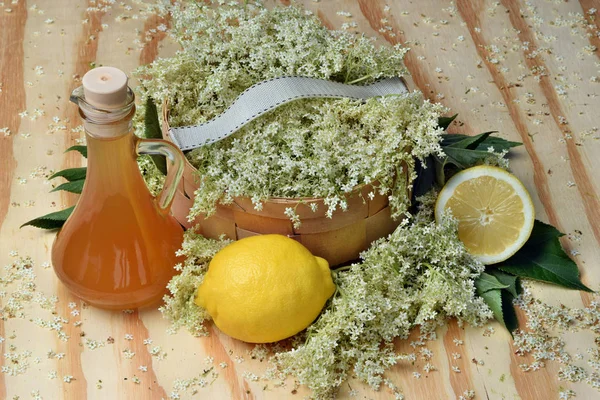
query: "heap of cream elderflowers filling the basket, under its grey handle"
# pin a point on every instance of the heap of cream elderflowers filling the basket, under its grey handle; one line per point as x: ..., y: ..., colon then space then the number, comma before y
x: 307, y: 148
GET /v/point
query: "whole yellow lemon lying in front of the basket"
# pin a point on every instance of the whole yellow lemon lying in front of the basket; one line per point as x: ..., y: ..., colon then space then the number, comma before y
x: 266, y: 288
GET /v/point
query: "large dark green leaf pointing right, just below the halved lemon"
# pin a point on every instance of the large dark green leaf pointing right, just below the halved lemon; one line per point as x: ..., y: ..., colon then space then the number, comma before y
x: 543, y: 258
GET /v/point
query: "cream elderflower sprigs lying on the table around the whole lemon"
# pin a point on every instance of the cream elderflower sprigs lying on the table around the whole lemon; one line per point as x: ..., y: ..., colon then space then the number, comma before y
x: 419, y: 275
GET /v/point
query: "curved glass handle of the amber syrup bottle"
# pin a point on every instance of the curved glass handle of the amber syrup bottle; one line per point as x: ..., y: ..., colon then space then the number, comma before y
x: 175, y: 166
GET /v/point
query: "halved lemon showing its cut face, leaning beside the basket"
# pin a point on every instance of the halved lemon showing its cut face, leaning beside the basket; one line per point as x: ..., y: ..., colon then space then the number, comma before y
x: 494, y: 211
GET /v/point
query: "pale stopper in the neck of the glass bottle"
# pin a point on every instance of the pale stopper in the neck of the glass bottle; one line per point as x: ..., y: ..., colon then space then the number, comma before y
x: 105, y: 88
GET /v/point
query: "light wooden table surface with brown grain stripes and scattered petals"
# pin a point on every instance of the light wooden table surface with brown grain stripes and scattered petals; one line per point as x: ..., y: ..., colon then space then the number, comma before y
x: 529, y: 70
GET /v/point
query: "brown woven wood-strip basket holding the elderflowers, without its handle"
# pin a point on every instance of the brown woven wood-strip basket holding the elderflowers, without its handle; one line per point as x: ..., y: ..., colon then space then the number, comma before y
x: 338, y: 239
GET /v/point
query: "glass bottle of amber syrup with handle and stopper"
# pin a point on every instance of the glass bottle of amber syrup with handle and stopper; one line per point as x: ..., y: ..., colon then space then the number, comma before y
x: 117, y: 249
